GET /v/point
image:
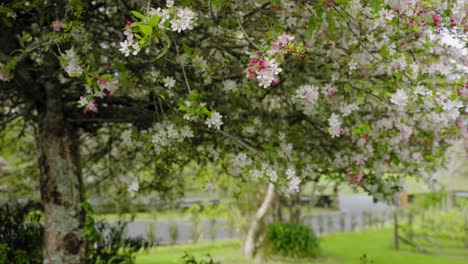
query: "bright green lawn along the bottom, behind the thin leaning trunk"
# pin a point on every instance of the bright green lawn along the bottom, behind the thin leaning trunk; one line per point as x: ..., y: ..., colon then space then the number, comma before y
x: 343, y: 248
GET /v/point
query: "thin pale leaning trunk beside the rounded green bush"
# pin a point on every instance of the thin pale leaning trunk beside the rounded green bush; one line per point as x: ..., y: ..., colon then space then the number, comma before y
x: 257, y: 225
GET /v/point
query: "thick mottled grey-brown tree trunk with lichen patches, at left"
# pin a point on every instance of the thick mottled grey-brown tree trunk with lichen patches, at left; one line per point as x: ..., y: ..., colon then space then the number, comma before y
x: 61, y: 184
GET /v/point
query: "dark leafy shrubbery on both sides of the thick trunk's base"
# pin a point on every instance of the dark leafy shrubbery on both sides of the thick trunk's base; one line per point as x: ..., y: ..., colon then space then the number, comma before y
x: 21, y: 235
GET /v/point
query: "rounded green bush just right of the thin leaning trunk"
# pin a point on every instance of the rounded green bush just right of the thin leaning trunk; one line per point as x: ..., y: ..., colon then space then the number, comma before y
x: 292, y: 240
